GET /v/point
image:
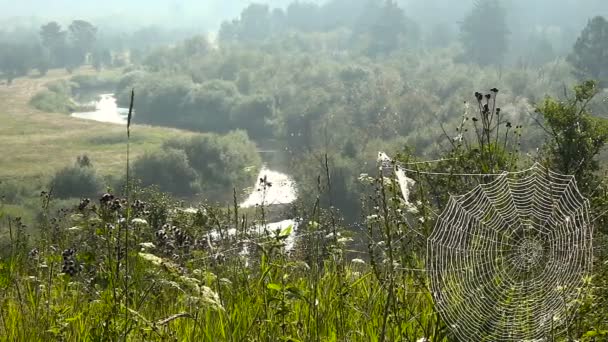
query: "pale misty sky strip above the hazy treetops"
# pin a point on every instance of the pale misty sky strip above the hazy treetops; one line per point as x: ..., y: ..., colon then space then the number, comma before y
x: 208, y: 14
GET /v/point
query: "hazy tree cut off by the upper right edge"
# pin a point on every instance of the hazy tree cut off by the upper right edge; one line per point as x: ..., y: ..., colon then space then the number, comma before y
x: 590, y: 53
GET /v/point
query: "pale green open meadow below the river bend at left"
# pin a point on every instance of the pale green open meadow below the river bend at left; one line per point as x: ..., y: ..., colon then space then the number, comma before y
x: 34, y: 144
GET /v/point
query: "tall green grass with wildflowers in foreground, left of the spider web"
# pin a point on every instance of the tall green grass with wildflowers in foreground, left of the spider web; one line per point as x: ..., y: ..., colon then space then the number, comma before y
x: 180, y: 285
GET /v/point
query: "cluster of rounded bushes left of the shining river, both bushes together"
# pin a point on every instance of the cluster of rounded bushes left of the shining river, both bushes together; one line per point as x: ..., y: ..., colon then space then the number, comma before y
x: 211, y: 163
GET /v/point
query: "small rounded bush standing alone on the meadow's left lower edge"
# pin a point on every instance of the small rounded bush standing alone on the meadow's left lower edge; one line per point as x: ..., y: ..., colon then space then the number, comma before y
x: 79, y: 180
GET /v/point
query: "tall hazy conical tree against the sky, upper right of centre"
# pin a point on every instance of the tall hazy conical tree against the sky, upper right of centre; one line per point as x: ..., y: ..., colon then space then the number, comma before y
x: 484, y: 33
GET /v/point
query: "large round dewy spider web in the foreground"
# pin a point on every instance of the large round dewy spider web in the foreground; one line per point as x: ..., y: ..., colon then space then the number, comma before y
x: 507, y: 259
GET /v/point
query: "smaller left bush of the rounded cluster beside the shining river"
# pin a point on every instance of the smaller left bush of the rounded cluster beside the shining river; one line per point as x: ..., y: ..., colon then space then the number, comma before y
x: 168, y: 169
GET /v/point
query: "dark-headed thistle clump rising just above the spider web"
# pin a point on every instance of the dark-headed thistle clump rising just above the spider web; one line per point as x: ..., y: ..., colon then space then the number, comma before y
x: 485, y: 141
